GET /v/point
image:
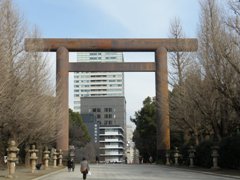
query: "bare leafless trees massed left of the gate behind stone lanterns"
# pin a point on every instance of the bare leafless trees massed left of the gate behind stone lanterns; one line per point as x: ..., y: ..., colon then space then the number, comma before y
x: 27, y: 102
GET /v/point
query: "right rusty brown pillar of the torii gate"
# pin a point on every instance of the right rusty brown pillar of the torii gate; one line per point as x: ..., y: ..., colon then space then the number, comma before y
x: 162, y: 103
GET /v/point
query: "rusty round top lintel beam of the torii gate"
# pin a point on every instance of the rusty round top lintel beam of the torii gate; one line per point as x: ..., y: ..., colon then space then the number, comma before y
x: 128, y: 45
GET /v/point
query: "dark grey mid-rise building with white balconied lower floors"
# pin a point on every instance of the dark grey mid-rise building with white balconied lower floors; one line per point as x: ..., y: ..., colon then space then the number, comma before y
x: 111, y: 115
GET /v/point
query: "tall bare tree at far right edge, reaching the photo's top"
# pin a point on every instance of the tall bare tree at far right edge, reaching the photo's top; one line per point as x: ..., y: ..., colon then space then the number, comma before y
x: 218, y: 57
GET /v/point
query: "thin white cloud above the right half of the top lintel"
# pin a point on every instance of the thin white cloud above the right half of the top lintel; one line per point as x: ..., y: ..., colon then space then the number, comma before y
x: 145, y: 18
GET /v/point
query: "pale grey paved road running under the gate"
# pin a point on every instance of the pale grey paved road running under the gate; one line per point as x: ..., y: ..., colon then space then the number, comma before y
x: 134, y: 172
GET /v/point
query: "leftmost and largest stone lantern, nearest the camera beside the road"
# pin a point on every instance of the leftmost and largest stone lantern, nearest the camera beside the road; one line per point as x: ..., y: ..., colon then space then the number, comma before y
x: 12, y: 151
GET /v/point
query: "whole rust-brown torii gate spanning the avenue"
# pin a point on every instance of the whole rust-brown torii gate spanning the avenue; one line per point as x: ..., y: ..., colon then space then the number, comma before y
x: 159, y: 46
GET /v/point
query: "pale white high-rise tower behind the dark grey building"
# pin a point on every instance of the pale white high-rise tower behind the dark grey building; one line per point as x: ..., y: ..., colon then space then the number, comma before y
x: 89, y: 84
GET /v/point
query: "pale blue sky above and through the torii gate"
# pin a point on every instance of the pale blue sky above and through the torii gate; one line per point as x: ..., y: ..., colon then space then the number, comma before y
x: 113, y: 19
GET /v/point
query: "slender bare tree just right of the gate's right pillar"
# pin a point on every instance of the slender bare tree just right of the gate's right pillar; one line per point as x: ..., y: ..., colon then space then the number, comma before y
x: 183, y: 113
